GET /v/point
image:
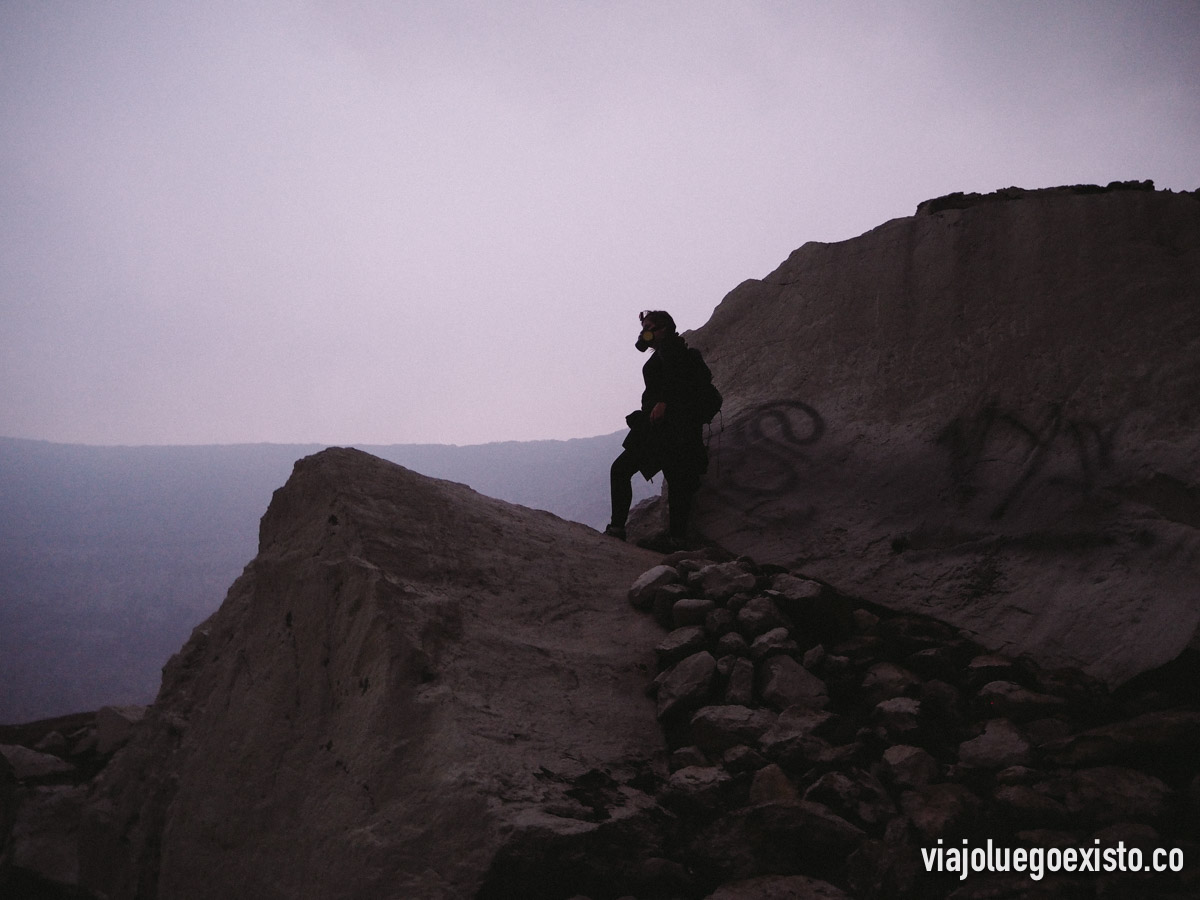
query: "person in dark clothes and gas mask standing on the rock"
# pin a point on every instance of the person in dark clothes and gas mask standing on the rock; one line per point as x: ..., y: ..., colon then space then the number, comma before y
x: 667, y: 435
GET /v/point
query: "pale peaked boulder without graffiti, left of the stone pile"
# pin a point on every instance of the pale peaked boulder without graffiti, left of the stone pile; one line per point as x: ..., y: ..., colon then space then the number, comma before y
x: 409, y: 679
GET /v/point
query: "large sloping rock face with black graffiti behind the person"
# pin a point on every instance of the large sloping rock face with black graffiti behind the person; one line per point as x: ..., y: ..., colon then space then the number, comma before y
x: 985, y: 413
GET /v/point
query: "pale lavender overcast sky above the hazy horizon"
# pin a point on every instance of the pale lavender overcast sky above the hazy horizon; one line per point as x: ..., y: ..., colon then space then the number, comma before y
x: 435, y: 223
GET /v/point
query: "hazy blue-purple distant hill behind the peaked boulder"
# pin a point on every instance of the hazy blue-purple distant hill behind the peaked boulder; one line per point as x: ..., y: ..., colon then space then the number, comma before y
x: 111, y: 556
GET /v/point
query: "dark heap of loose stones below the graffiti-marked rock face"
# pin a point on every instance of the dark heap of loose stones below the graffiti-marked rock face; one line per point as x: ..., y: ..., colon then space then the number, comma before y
x: 819, y: 739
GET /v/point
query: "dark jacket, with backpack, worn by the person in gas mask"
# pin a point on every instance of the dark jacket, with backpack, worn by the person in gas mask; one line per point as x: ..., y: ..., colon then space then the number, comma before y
x: 676, y: 375
